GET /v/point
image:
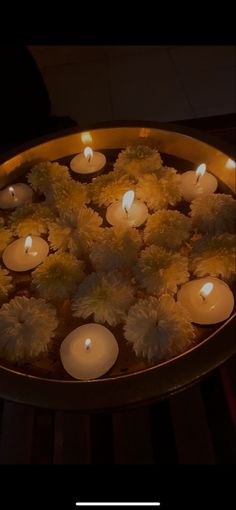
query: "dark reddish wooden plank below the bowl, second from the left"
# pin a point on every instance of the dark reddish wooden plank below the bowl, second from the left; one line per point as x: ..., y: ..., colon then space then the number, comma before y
x: 72, y: 438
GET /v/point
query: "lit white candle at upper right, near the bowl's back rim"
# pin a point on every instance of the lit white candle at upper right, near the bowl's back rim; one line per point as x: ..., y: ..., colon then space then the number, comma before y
x: 196, y: 183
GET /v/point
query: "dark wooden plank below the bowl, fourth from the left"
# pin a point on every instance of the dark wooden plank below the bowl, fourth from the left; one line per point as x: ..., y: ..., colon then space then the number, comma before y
x: 192, y: 434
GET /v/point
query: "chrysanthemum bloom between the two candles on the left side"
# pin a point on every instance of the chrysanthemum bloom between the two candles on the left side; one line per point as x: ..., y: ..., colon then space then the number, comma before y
x: 31, y: 219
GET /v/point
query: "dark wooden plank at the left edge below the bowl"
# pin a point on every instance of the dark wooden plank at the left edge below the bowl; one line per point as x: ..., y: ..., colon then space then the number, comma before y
x: 16, y: 433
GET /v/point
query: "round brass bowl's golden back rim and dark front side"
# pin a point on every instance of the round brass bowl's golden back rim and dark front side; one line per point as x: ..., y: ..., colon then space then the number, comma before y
x: 147, y: 383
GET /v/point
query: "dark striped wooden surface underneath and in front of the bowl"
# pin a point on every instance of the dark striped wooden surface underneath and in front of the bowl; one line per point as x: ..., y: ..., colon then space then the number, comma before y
x: 196, y: 426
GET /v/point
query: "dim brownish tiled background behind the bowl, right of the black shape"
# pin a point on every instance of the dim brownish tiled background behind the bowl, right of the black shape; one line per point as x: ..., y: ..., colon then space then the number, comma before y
x: 163, y: 83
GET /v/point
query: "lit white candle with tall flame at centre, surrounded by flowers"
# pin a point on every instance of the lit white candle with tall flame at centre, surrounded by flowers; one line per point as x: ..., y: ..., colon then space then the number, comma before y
x: 128, y: 212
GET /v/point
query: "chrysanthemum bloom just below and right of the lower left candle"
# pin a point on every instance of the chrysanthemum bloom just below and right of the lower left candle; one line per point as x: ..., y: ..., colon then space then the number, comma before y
x: 58, y: 276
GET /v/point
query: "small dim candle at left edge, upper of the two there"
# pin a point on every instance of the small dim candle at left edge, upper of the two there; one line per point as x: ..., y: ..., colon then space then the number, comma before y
x: 15, y: 196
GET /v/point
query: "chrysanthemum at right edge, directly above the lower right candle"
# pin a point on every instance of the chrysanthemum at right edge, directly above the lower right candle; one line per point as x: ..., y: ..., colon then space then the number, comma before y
x: 215, y: 256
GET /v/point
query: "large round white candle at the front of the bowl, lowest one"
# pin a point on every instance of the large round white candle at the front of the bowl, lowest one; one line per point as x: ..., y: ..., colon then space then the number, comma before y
x: 89, y: 351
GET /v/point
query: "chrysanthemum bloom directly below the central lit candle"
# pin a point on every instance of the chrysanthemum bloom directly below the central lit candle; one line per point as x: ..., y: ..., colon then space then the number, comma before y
x: 118, y: 249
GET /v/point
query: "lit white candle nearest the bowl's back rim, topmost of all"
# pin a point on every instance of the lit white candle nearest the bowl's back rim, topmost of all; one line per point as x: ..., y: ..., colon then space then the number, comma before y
x: 88, y: 162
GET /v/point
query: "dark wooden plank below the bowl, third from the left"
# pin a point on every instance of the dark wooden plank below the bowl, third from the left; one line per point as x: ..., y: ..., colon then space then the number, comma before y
x: 132, y: 437
